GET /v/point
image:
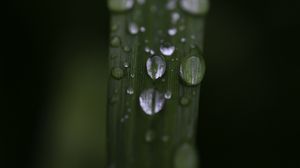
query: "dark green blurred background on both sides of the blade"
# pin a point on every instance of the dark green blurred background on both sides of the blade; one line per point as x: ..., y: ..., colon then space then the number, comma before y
x: 55, y: 76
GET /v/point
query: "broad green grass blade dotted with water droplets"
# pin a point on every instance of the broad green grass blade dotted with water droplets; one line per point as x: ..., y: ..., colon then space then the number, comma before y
x: 135, y: 139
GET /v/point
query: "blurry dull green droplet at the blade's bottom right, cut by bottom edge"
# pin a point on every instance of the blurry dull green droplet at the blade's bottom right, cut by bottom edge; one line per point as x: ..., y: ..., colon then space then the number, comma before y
x: 186, y: 157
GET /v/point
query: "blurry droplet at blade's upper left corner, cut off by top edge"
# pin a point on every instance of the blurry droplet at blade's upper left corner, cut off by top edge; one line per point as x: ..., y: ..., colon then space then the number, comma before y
x: 120, y: 5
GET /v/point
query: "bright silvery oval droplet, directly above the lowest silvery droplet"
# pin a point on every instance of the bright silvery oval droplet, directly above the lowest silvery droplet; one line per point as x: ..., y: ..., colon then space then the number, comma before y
x: 156, y: 67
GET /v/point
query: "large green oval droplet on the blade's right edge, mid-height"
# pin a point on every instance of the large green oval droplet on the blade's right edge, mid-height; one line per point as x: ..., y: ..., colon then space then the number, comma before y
x: 192, y: 70
